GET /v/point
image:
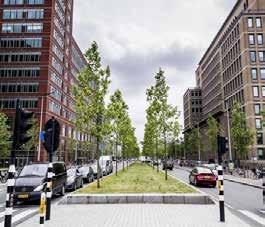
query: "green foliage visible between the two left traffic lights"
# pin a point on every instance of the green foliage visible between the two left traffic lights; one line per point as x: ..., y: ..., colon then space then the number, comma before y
x: 33, y: 143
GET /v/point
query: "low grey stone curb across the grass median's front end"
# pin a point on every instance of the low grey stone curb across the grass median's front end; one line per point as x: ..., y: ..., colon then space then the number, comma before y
x: 137, y: 199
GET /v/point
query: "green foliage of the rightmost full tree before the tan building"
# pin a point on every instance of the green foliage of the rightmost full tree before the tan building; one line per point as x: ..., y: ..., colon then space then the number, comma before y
x: 242, y: 136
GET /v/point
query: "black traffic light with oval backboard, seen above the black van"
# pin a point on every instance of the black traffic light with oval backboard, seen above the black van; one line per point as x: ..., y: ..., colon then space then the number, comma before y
x: 51, y: 135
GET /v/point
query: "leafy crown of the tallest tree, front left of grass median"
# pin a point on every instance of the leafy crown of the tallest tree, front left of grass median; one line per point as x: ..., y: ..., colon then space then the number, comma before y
x: 90, y: 95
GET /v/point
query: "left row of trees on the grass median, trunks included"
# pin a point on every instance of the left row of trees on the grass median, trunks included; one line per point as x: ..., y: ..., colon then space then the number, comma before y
x: 104, y: 122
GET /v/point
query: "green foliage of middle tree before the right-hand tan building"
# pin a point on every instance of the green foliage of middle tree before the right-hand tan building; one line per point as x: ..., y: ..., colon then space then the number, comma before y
x: 212, y: 132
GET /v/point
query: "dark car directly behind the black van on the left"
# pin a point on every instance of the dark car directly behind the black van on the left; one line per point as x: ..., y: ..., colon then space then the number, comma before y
x: 74, y: 179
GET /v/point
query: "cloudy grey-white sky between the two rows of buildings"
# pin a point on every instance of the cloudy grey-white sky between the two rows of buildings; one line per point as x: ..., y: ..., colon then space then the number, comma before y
x: 137, y: 37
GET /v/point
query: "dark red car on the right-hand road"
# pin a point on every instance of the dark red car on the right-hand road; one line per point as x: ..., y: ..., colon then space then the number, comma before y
x: 202, y: 176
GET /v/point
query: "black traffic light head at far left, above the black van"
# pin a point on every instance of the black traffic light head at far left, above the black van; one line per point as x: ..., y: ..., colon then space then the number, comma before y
x: 22, y: 126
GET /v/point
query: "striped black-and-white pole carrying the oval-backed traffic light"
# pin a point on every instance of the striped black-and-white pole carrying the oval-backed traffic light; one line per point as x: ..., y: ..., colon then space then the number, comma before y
x: 49, y: 177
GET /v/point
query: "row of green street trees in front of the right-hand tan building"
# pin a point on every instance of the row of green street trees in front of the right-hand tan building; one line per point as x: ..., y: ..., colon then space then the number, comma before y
x: 241, y: 136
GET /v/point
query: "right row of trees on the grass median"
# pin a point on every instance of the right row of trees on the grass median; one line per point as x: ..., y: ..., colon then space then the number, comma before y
x: 162, y: 124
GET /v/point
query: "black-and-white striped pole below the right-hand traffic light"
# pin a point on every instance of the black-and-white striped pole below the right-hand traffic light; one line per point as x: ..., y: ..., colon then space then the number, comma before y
x: 221, y: 193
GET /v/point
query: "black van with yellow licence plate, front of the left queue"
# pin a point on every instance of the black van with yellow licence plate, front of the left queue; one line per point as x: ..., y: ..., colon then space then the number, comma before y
x: 31, y: 181
